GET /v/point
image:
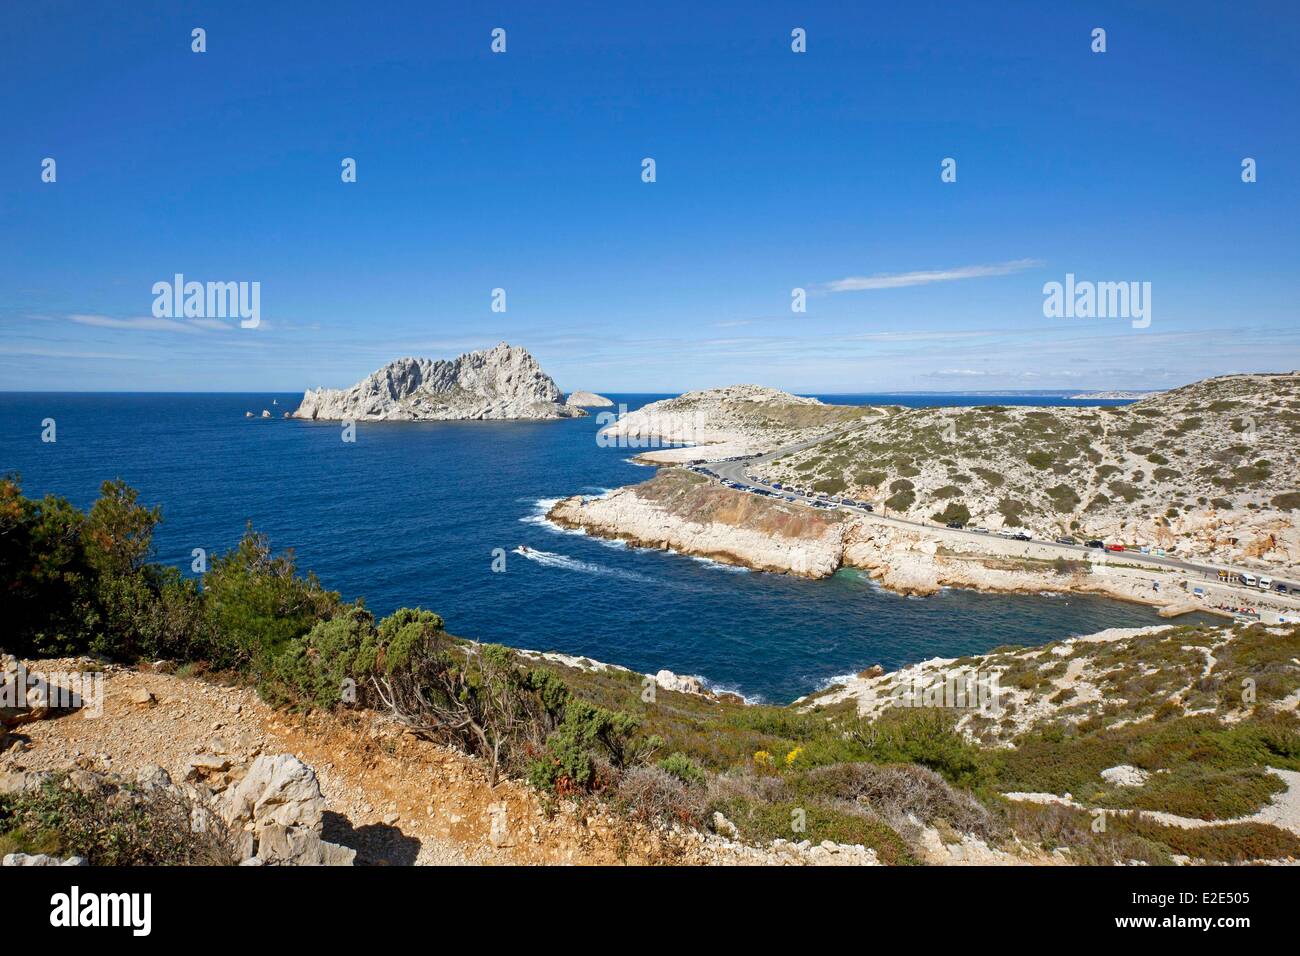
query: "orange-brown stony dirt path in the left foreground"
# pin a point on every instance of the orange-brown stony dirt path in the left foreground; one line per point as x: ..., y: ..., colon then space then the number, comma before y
x: 395, y: 799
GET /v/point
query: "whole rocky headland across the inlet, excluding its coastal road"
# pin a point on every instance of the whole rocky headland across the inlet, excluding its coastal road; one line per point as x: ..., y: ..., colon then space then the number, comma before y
x: 1158, y: 474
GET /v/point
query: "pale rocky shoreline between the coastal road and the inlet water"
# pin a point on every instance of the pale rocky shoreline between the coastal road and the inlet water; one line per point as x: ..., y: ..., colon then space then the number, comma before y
x: 703, y: 520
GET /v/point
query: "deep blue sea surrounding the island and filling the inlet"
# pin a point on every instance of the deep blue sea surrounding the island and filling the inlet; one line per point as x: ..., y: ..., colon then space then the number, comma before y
x: 410, y: 516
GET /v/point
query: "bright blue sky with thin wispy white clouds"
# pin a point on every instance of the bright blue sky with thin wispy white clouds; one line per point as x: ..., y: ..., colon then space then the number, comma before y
x: 774, y: 171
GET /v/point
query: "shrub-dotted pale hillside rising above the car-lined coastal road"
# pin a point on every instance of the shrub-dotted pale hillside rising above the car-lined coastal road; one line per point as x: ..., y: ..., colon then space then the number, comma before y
x: 1211, y: 469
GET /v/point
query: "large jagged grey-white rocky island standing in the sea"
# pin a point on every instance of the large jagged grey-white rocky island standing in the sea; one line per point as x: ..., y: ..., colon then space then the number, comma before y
x: 501, y: 383
